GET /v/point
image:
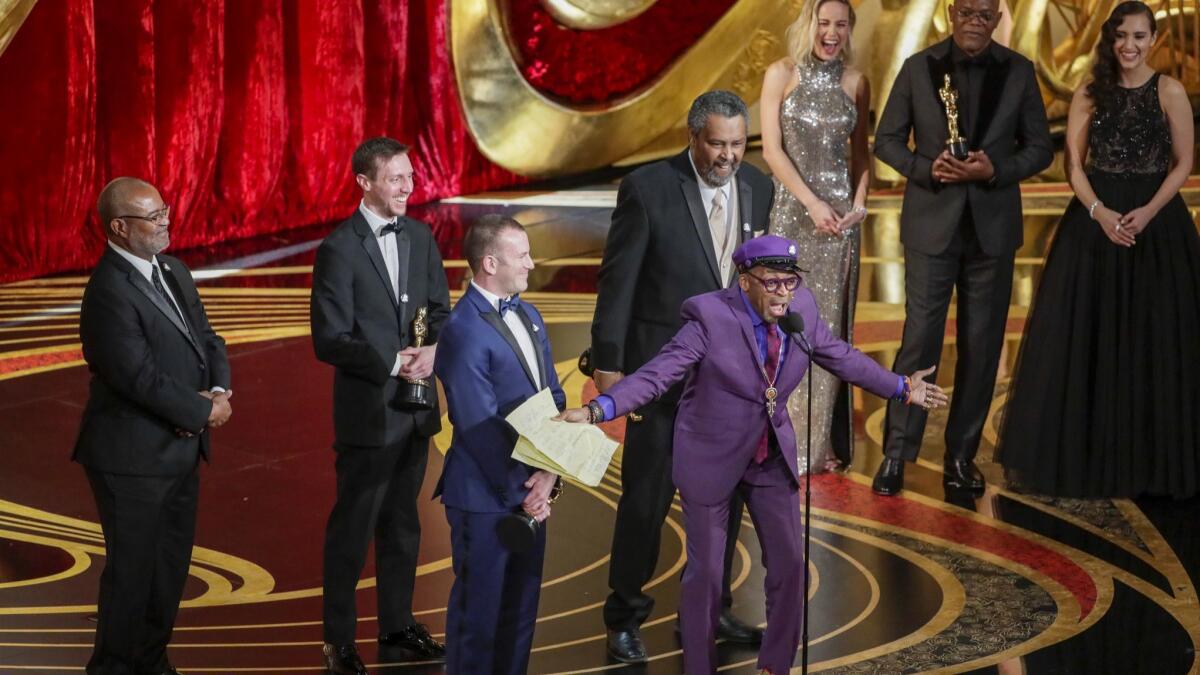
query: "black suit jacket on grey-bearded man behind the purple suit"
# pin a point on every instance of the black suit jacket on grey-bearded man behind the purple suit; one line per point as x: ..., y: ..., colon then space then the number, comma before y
x: 659, y: 253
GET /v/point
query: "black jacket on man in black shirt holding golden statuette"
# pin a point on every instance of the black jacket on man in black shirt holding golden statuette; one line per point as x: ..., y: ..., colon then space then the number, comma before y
x: 1012, y: 129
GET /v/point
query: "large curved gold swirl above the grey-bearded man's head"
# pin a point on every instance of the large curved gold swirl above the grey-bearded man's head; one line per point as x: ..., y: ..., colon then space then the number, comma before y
x: 523, y: 130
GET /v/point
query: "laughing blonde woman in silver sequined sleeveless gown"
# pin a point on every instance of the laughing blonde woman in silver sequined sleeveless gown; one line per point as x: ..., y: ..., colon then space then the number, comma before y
x: 814, y: 134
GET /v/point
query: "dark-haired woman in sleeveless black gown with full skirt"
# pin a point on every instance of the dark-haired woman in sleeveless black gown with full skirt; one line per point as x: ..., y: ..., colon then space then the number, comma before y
x: 1106, y: 402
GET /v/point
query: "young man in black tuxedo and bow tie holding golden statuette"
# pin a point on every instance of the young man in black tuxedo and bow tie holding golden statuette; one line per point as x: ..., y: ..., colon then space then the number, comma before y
x: 371, y: 276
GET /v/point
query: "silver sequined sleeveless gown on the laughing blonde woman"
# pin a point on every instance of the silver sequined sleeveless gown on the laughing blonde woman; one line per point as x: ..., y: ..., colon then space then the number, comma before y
x: 817, y: 121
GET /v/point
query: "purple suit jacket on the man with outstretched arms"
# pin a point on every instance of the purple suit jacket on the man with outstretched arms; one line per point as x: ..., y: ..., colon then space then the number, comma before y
x: 723, y: 414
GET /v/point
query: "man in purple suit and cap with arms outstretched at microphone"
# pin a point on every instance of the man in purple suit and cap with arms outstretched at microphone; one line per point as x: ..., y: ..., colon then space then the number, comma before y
x: 731, y: 427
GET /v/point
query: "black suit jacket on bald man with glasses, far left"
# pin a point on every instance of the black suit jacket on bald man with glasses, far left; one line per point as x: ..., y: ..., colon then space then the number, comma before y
x: 147, y: 372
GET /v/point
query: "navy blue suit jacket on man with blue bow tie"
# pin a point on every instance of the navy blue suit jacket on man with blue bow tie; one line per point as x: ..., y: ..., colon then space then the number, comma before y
x: 485, y: 379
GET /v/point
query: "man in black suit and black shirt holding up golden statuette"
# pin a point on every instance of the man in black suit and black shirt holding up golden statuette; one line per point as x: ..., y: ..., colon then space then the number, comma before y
x: 961, y: 224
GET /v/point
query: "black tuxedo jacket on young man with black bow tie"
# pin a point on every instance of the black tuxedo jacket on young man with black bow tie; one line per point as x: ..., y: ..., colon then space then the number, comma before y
x: 359, y: 325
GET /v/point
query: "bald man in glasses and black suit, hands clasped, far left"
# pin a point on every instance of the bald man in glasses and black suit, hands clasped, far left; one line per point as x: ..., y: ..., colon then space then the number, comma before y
x: 160, y: 380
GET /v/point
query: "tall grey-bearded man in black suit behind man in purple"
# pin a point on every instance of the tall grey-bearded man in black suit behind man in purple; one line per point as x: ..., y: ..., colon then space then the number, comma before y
x: 674, y: 235
